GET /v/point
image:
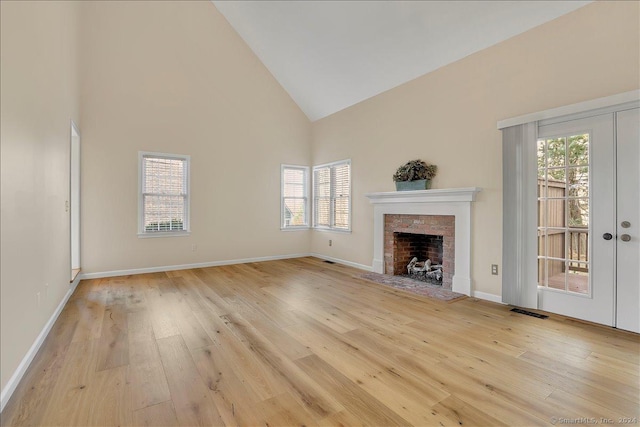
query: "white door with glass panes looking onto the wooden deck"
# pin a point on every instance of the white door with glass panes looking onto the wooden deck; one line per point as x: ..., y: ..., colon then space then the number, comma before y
x: 576, y: 225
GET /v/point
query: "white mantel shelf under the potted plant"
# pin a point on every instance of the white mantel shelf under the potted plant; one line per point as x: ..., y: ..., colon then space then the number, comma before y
x: 426, y: 196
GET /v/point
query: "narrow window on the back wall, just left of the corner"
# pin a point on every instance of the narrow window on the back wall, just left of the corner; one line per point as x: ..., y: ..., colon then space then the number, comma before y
x: 295, y: 197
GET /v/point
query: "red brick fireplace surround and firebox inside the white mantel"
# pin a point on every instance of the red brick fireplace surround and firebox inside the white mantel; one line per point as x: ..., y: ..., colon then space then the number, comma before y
x: 422, y: 236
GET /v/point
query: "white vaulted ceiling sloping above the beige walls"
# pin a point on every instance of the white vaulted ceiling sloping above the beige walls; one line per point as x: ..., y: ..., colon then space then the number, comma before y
x: 329, y: 55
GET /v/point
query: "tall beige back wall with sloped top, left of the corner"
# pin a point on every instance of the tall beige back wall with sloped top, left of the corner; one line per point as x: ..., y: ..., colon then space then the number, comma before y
x: 174, y: 77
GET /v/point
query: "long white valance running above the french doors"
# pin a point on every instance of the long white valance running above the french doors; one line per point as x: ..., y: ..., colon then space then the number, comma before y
x: 580, y: 107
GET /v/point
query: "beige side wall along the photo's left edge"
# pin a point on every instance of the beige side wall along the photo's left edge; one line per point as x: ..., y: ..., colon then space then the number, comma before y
x: 38, y: 98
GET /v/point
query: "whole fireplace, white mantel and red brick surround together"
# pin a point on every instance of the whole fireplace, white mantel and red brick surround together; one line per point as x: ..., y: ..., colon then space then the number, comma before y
x: 440, y: 212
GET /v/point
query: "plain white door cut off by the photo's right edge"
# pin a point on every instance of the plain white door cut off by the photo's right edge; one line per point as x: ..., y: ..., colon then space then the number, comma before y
x: 628, y: 220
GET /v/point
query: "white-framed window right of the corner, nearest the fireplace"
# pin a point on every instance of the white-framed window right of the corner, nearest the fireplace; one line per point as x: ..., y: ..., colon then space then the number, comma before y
x: 332, y: 196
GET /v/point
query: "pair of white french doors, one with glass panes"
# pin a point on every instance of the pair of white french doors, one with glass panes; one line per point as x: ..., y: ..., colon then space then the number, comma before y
x: 588, y: 218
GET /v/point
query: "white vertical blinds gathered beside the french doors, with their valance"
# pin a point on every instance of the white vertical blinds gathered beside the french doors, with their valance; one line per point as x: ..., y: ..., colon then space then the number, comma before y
x: 519, y: 234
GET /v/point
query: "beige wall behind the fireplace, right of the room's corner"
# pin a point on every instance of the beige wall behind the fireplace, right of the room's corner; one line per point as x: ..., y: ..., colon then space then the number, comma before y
x: 448, y: 117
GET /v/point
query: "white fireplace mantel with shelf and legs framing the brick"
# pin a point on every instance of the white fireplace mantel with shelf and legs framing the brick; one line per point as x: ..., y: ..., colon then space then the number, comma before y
x: 449, y: 201
